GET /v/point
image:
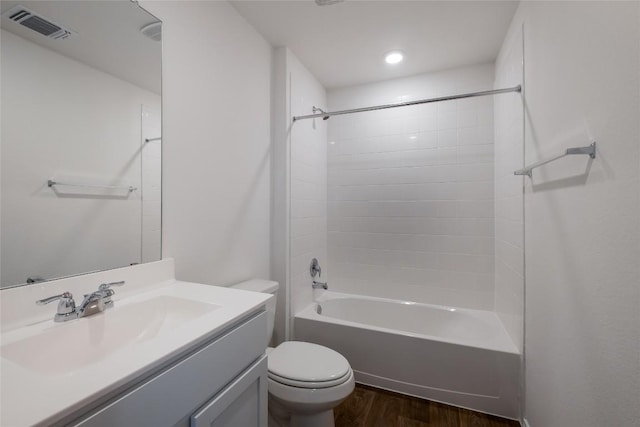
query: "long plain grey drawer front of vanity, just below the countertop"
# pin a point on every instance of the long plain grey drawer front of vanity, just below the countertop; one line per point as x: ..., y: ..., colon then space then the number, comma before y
x: 171, y: 397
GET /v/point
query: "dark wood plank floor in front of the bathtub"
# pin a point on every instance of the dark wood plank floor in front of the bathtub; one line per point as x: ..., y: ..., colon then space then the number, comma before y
x: 372, y: 407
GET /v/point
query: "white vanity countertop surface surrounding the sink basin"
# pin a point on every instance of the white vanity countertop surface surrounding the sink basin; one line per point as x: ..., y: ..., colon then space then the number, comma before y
x: 29, y: 397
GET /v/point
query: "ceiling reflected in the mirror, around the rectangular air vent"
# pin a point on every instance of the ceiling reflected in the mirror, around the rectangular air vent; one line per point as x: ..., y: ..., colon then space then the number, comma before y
x: 108, y: 37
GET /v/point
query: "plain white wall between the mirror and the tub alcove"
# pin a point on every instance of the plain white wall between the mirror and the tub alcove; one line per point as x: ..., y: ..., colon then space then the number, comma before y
x: 216, y: 142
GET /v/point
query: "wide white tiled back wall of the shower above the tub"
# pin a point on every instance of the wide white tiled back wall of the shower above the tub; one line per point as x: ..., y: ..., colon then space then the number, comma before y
x: 411, y: 191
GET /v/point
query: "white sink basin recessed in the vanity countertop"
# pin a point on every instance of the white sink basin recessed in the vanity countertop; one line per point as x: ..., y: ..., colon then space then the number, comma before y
x: 64, y: 347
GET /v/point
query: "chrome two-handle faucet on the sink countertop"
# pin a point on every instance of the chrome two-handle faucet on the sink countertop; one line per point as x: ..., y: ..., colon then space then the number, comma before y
x: 92, y: 303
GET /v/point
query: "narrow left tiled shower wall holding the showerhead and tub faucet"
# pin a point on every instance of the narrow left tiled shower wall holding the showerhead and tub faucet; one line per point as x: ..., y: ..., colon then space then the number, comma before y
x: 308, y: 192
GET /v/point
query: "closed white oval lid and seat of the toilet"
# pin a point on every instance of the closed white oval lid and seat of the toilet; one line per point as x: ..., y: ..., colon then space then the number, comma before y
x: 302, y: 364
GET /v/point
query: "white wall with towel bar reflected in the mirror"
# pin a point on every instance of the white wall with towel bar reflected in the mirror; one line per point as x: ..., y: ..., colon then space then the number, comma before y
x: 74, y: 123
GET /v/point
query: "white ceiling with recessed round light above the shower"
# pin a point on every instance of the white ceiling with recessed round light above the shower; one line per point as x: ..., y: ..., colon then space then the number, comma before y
x: 344, y: 44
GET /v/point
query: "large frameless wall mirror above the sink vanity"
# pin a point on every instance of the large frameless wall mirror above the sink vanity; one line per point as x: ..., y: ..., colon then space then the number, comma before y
x: 81, y: 138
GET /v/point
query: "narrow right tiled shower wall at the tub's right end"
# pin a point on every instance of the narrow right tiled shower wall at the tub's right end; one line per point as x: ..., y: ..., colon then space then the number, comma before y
x: 509, y: 215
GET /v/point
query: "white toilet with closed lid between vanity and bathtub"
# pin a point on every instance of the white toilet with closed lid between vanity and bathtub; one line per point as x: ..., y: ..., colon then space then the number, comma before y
x: 306, y: 381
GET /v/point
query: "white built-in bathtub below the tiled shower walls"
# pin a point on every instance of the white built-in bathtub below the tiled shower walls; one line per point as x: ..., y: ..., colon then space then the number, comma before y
x: 457, y: 356
